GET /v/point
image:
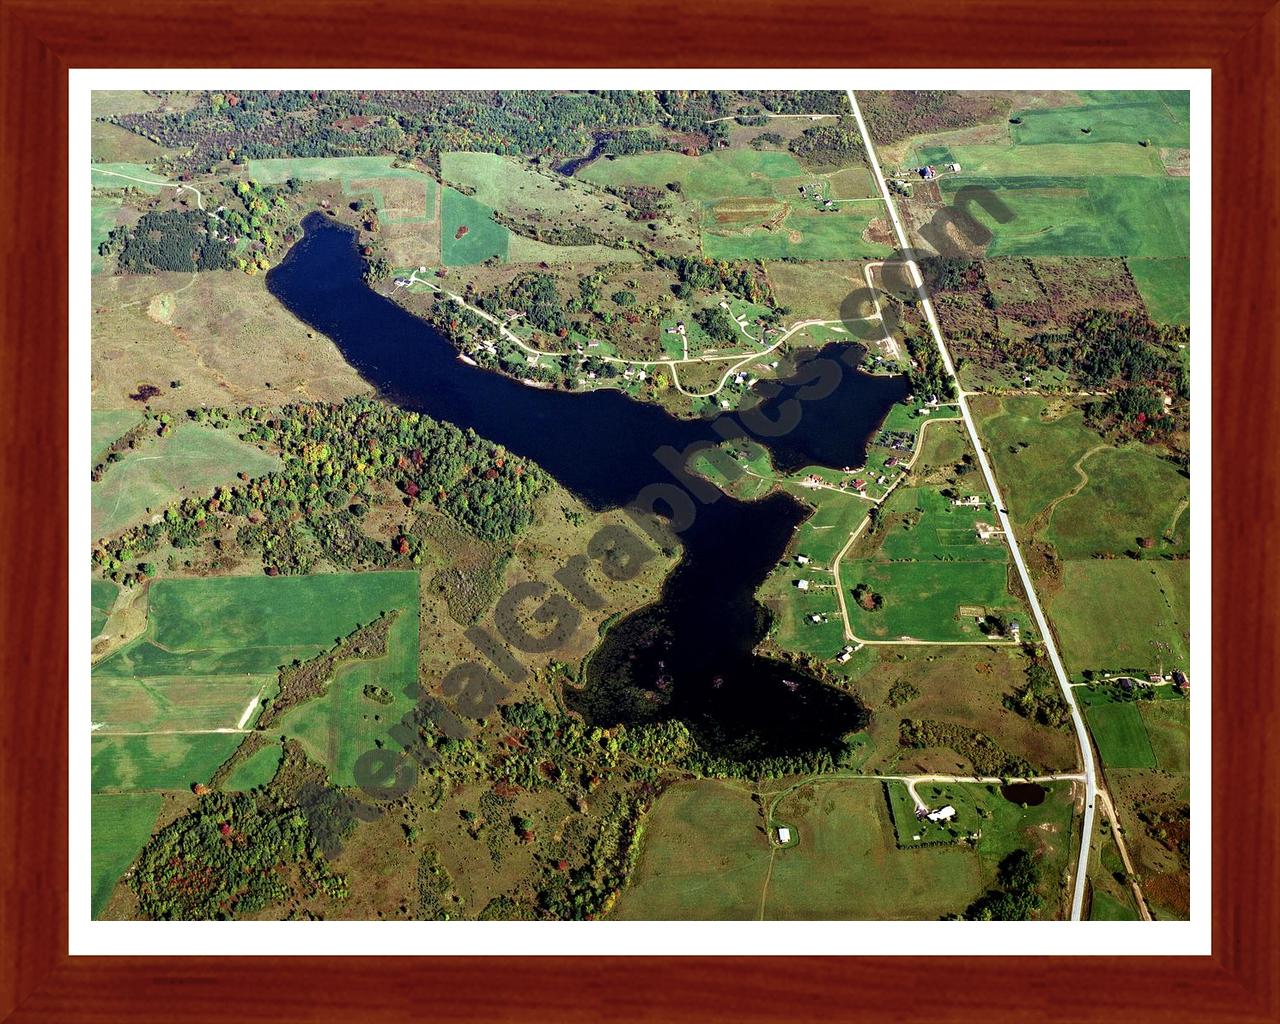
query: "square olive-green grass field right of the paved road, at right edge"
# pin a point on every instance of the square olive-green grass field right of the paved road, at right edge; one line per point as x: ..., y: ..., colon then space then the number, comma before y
x: 1112, y: 612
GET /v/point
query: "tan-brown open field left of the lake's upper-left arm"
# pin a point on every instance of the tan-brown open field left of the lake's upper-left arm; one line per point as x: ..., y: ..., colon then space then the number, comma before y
x: 218, y: 333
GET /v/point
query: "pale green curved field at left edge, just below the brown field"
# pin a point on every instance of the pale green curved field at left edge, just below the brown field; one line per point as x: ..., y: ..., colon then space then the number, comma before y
x: 193, y: 458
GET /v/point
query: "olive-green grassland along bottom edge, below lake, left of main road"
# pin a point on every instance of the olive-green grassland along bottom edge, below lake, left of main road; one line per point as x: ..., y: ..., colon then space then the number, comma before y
x: 707, y: 856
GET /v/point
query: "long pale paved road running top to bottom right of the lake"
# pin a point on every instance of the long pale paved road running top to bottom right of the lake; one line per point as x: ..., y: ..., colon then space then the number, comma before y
x: 1091, y: 783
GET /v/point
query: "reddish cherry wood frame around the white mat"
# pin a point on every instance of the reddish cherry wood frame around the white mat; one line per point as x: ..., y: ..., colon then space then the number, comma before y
x: 42, y: 39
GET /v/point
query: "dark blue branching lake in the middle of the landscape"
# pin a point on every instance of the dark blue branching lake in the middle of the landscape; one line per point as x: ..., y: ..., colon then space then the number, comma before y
x: 689, y: 656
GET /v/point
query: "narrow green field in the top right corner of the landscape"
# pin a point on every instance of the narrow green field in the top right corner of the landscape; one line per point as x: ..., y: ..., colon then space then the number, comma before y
x: 1112, y: 117
